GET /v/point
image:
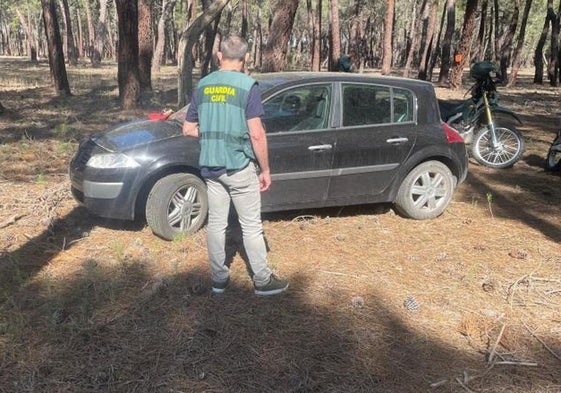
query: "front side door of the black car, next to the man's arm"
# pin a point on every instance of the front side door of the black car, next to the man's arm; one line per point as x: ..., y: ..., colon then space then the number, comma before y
x: 301, y: 144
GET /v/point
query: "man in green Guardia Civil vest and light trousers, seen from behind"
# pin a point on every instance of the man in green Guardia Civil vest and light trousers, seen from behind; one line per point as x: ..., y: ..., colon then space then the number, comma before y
x: 225, y: 113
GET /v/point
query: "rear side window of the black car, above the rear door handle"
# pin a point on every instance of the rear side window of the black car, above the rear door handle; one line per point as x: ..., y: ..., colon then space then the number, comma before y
x: 372, y: 104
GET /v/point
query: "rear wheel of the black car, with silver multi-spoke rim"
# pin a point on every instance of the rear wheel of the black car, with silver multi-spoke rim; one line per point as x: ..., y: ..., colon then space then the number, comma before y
x: 426, y: 191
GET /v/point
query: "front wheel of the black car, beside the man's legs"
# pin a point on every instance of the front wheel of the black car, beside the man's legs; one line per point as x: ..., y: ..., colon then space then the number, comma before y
x: 177, y: 204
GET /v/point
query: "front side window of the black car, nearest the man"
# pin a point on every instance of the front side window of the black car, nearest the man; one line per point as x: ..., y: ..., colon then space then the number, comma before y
x: 304, y: 108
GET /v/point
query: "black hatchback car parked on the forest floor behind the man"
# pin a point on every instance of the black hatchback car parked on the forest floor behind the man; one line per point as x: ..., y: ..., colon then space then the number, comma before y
x: 334, y: 139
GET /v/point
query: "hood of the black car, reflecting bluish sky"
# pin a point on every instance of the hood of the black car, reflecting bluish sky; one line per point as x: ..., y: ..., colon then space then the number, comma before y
x: 137, y: 133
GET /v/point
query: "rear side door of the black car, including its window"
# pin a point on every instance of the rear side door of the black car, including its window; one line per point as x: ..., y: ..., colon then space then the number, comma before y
x: 376, y: 135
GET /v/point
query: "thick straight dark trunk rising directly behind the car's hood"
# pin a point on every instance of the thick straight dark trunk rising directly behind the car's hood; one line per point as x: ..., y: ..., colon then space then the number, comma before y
x: 128, y: 73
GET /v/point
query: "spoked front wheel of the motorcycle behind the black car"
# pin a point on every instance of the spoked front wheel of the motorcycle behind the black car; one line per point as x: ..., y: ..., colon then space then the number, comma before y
x: 509, y: 149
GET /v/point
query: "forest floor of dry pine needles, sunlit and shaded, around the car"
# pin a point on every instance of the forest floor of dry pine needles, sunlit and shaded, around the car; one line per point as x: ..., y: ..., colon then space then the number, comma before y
x: 92, y: 305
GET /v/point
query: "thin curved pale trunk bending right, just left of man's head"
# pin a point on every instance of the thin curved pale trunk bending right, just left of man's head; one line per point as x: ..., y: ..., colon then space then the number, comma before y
x: 189, y: 37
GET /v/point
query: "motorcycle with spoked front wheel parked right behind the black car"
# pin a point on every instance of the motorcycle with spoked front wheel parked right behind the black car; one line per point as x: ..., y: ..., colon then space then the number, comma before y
x: 494, y: 141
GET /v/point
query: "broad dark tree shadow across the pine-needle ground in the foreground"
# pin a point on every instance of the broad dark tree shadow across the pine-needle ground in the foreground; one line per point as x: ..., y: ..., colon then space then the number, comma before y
x: 122, y: 327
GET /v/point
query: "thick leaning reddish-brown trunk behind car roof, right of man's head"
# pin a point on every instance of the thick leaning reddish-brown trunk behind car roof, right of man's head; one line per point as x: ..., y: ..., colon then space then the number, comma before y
x: 274, y: 56
